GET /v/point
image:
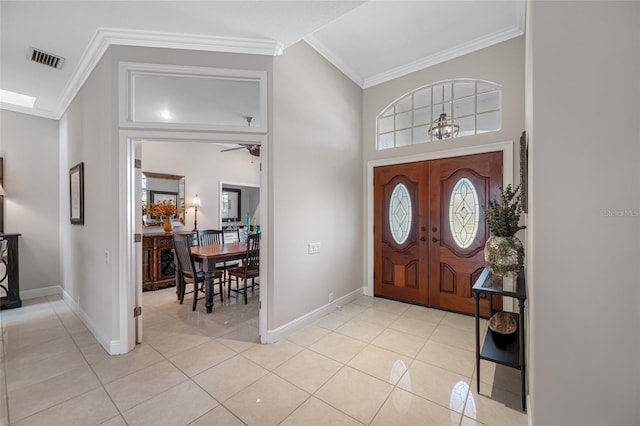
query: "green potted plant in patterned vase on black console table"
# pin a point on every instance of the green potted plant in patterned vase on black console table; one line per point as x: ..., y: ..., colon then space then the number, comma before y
x: 503, y: 251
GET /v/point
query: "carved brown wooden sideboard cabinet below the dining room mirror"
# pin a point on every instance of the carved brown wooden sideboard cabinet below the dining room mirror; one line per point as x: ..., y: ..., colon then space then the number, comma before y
x: 158, y: 267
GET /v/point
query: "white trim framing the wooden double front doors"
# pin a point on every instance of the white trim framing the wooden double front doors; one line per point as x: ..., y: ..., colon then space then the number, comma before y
x: 507, y: 178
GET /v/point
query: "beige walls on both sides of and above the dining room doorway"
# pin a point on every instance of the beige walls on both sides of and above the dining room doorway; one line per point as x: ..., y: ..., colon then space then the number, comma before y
x: 314, y: 161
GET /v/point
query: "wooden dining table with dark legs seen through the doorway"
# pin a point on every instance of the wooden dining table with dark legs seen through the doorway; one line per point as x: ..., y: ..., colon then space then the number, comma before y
x: 210, y: 256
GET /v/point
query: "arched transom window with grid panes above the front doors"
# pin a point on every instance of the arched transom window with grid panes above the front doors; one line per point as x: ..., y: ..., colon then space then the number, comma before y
x: 449, y: 109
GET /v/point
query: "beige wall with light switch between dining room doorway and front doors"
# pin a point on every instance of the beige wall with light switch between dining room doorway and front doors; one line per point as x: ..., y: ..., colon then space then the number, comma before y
x: 315, y: 184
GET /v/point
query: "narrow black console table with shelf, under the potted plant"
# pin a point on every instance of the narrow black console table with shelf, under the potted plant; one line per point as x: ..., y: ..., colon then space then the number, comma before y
x: 505, y: 350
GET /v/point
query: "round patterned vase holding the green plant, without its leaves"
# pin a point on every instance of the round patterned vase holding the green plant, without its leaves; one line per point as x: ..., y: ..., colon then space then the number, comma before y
x: 504, y: 256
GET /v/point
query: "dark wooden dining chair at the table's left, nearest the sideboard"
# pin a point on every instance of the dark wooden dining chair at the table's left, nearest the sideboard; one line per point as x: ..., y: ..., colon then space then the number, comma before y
x: 189, y: 274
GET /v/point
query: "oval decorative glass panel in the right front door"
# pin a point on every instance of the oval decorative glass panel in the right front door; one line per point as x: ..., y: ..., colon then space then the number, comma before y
x: 464, y: 213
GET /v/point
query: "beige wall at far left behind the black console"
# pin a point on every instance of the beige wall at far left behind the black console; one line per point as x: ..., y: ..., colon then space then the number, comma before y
x: 29, y: 146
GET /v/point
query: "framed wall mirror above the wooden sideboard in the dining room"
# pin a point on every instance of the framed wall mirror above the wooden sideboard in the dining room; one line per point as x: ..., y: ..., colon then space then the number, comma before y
x: 158, y: 187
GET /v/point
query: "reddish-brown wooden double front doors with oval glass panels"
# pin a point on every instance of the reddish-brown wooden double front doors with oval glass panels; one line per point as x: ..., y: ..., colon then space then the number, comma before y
x: 430, y: 229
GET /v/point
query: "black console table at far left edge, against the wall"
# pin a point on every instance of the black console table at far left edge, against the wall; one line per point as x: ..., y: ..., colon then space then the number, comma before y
x: 10, y: 277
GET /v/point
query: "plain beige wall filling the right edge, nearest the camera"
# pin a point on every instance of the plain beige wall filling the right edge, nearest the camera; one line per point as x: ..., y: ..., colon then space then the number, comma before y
x: 584, y: 274
